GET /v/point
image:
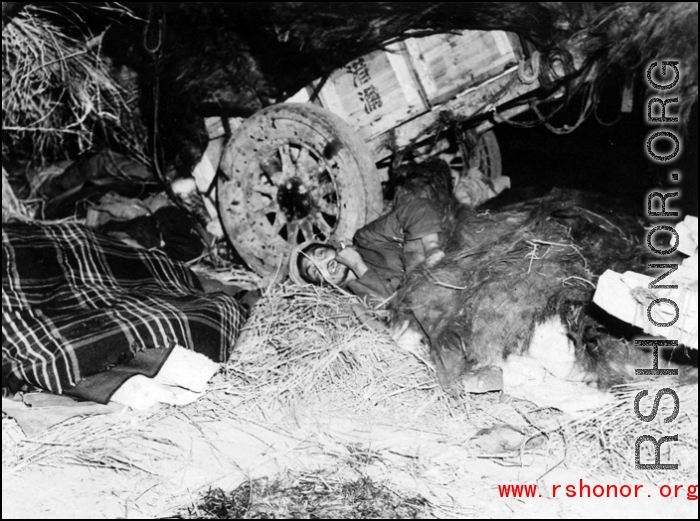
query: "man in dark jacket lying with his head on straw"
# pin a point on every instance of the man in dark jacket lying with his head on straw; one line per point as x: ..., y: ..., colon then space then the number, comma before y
x: 373, y: 267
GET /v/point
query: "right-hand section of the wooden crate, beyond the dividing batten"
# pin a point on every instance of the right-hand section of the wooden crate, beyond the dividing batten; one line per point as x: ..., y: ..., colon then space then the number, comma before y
x: 447, y: 64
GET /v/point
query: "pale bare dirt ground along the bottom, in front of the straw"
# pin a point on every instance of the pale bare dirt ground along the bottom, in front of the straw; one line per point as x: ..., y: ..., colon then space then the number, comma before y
x: 225, y: 453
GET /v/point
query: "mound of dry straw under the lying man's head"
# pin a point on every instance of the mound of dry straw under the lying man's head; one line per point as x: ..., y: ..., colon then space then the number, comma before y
x: 303, y: 344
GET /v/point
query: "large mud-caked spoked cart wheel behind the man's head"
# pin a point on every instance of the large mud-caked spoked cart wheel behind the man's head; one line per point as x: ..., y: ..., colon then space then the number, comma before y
x: 293, y: 173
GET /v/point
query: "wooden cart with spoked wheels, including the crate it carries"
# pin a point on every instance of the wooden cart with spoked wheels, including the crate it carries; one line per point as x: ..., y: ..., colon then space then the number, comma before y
x: 306, y: 170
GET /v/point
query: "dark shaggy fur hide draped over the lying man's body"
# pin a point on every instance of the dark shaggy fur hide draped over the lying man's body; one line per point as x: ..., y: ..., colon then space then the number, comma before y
x: 506, y: 270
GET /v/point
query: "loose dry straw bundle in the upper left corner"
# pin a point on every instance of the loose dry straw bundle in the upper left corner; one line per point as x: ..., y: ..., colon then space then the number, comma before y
x: 58, y: 96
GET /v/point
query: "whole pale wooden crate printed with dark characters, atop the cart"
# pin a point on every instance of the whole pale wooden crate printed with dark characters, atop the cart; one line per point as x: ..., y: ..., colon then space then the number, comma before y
x: 384, y: 89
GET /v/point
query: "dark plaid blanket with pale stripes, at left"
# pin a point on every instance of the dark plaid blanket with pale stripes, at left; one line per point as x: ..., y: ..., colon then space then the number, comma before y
x: 80, y: 307
